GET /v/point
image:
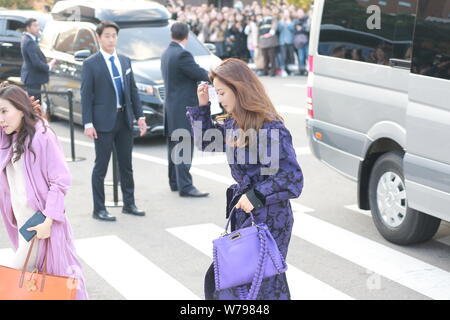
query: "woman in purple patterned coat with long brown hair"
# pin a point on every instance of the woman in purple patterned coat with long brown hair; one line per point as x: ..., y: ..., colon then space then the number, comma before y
x: 263, y: 187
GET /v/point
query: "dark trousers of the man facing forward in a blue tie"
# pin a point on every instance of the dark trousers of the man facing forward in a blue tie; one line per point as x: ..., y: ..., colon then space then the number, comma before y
x: 122, y: 138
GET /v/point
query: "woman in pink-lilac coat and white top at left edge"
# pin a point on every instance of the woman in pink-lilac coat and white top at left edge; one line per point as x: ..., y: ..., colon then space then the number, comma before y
x: 34, y: 177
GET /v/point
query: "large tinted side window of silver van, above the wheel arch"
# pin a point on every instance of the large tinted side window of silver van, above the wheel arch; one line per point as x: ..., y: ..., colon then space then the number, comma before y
x: 349, y: 30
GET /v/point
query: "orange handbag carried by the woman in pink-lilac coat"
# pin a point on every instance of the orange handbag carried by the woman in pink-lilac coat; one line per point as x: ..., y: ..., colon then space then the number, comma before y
x: 22, y: 285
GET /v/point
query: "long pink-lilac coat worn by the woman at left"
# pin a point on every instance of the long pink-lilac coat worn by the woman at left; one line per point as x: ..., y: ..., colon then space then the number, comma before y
x: 47, y: 180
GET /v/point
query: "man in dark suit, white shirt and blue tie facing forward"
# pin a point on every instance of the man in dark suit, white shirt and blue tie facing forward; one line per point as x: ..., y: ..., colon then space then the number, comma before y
x: 110, y: 102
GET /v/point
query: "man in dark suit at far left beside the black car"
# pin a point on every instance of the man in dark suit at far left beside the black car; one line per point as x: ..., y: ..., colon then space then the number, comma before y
x: 35, y: 70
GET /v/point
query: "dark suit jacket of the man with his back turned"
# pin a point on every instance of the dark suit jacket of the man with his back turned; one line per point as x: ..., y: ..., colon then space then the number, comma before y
x: 181, y: 74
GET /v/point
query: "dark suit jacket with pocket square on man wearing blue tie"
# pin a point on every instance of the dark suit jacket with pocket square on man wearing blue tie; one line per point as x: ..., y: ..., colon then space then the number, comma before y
x: 98, y: 94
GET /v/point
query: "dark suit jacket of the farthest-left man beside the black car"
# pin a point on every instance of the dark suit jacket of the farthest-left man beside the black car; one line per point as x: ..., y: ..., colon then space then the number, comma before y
x: 34, y: 68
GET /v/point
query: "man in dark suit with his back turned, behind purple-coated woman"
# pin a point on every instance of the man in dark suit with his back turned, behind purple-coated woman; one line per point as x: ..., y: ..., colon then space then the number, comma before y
x: 181, y: 74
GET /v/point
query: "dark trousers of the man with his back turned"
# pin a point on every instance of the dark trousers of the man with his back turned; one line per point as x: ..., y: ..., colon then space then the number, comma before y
x: 179, y: 176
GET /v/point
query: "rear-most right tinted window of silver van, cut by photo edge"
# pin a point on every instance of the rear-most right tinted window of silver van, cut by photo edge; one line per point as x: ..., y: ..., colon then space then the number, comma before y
x: 431, y: 52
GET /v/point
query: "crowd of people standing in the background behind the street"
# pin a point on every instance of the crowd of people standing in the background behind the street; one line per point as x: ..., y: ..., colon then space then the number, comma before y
x: 273, y: 37
